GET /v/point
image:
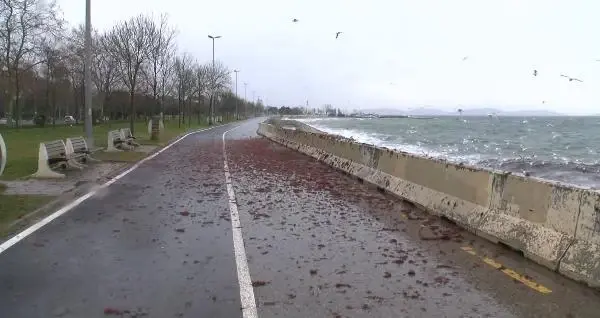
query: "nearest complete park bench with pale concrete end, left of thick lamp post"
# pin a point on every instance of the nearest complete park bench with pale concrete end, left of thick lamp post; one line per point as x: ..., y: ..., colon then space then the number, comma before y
x: 52, y: 154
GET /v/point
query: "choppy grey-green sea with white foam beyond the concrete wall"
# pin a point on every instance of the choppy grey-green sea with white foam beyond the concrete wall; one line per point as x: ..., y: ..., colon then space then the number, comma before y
x: 564, y: 149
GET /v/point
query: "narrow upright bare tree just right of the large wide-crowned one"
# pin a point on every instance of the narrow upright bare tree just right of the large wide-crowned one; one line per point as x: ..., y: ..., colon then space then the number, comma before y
x: 160, y: 51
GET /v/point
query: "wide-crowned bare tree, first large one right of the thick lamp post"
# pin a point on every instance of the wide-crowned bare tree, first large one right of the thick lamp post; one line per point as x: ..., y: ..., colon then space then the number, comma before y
x: 129, y: 42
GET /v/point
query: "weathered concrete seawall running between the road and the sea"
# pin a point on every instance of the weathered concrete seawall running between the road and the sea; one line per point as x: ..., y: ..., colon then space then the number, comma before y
x: 555, y: 225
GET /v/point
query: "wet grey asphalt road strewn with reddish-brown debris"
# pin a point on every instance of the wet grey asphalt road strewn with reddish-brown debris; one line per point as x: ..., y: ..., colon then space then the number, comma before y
x: 158, y: 243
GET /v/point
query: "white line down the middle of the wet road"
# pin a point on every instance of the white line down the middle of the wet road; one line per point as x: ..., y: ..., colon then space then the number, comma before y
x: 246, y: 292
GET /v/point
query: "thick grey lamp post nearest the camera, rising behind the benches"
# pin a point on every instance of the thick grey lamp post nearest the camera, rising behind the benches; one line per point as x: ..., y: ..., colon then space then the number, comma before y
x: 88, y: 74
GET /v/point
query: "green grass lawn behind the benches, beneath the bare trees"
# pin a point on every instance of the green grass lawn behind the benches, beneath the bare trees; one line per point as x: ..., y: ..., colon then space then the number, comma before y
x: 23, y: 144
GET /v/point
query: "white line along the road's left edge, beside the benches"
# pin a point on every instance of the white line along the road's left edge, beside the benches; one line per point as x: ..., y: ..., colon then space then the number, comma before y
x: 30, y: 230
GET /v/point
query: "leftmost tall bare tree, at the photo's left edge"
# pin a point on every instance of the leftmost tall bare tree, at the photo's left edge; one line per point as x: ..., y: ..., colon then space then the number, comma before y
x: 23, y: 26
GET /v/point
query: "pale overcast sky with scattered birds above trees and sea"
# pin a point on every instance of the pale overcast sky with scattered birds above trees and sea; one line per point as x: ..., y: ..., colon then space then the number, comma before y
x: 396, y: 54
